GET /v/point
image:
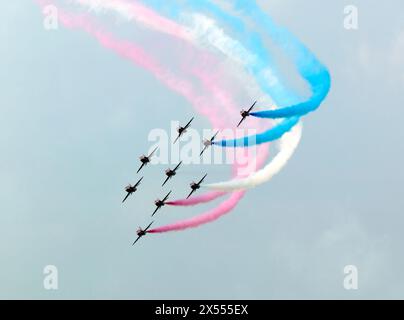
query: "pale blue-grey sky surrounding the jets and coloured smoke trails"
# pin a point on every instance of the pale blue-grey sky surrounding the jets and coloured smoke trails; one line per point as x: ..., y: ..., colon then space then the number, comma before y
x: 72, y: 126
